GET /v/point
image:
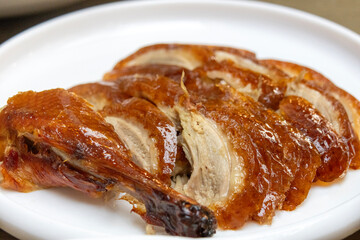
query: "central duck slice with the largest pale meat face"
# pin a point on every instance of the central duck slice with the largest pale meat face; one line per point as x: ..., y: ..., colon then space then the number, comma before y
x: 225, y: 176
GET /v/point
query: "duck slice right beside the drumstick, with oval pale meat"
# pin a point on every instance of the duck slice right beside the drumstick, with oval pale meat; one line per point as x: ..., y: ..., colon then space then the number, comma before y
x: 149, y: 135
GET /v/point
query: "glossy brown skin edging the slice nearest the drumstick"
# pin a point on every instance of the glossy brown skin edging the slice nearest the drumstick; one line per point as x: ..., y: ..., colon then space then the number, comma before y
x: 141, y: 112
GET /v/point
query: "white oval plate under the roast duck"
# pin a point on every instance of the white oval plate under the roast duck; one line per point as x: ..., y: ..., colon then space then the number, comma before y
x: 82, y: 46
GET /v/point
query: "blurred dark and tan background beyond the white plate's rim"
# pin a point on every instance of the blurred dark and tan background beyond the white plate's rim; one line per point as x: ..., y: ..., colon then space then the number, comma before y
x: 18, y: 15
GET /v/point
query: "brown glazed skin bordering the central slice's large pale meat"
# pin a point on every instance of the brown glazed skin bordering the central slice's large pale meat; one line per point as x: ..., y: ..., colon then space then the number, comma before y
x: 234, y: 211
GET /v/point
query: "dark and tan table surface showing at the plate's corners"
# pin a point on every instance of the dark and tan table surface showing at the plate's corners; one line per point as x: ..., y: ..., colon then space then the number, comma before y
x: 344, y: 12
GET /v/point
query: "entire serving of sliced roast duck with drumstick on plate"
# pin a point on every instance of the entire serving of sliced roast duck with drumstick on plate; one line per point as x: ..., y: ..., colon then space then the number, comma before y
x: 197, y: 137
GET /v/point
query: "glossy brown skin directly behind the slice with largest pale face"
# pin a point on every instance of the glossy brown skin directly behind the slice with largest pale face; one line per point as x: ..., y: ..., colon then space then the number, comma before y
x: 294, y: 153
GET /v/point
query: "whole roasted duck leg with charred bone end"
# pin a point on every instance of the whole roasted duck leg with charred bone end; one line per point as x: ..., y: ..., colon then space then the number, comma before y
x: 53, y: 138
